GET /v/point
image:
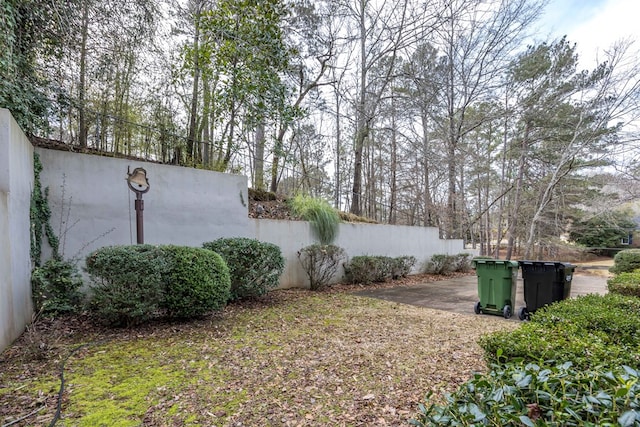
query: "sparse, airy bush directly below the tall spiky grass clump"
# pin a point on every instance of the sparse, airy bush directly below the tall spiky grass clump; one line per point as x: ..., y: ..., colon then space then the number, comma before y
x: 321, y: 262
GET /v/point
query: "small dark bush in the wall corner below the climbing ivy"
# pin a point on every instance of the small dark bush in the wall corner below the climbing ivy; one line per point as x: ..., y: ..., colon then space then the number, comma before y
x: 55, y: 287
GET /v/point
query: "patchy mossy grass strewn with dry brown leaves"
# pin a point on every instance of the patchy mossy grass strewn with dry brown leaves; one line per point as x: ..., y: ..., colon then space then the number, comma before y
x: 295, y: 358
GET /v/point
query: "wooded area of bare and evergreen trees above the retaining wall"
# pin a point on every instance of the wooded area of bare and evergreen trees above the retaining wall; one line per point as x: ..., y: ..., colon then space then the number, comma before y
x: 454, y: 114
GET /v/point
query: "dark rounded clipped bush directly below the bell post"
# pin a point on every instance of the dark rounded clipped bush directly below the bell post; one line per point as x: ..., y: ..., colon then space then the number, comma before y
x: 129, y: 283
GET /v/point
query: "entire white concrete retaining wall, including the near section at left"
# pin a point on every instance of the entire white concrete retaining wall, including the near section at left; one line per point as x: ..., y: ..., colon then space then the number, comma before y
x: 92, y: 206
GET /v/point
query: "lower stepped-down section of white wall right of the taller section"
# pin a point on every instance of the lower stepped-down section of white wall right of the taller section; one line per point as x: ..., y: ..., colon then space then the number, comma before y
x: 355, y: 239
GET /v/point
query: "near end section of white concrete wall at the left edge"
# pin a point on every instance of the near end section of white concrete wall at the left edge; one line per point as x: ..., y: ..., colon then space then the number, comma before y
x: 16, y: 185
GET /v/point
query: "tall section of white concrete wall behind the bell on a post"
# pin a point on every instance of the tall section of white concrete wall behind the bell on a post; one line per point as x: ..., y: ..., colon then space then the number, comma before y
x: 92, y: 205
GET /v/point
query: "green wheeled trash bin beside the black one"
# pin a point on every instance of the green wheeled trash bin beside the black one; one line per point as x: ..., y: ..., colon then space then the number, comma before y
x: 496, y: 286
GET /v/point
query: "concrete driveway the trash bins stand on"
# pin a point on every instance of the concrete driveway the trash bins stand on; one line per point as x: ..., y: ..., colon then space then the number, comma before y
x: 460, y: 294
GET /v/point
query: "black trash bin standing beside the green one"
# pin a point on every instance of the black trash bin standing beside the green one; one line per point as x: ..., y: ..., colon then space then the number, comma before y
x: 544, y: 282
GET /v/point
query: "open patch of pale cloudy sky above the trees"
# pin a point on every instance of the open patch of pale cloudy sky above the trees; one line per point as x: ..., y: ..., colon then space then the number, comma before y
x: 593, y: 24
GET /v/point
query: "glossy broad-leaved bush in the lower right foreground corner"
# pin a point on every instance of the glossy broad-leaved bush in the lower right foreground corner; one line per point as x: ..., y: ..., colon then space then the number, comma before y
x: 534, y: 395
